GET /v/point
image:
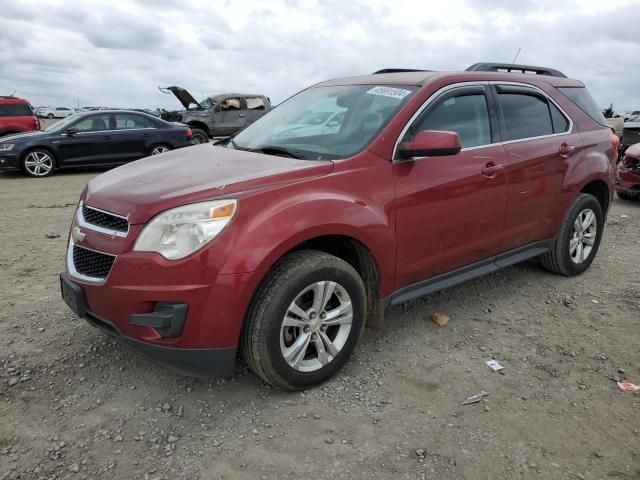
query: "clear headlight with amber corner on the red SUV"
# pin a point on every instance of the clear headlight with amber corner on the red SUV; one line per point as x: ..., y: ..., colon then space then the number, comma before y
x: 179, y: 232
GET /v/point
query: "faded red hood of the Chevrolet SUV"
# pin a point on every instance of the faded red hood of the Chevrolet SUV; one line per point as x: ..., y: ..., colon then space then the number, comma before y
x: 142, y: 189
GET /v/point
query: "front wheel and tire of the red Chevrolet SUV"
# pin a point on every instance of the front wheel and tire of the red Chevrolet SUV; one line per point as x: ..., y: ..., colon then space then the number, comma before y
x: 294, y: 280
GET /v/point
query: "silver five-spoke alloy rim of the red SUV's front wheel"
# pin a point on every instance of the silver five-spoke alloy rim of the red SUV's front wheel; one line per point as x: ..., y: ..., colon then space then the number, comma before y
x: 316, y: 326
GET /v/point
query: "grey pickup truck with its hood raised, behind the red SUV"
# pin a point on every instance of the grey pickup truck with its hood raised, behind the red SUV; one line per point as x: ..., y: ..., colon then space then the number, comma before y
x: 218, y: 115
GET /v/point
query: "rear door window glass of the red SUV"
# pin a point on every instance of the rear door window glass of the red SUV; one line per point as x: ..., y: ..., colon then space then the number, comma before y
x: 524, y: 116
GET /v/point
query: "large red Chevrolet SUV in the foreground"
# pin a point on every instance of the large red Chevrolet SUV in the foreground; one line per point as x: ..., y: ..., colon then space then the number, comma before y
x: 285, y: 246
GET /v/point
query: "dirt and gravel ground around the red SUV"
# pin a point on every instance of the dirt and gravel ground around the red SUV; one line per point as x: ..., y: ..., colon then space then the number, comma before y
x: 76, y: 404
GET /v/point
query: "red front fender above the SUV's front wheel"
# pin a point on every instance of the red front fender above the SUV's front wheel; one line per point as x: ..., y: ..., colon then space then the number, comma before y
x: 357, y: 204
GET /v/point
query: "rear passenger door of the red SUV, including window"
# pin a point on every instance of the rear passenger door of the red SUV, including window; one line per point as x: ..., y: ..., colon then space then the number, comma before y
x: 539, y: 147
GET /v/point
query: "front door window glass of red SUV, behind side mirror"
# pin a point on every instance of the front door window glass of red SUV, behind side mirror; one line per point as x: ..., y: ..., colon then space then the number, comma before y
x: 467, y: 115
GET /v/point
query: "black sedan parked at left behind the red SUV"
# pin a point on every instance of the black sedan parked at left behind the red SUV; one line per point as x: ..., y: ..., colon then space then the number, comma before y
x: 105, y: 138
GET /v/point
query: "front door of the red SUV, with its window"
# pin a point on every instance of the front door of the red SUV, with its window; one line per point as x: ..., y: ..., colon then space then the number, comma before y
x: 450, y: 210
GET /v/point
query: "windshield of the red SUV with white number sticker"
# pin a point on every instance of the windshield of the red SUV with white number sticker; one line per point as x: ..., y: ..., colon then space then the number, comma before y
x: 325, y: 122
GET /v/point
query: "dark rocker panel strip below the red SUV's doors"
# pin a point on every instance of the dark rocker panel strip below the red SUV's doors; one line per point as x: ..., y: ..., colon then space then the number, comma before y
x: 464, y: 274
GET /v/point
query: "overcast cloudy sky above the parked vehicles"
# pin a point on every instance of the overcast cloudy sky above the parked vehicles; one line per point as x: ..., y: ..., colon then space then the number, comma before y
x: 115, y: 53
